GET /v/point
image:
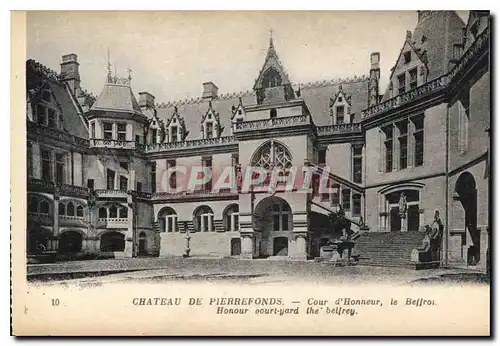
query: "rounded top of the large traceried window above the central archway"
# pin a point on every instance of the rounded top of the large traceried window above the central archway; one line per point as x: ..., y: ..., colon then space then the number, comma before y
x: 272, y: 154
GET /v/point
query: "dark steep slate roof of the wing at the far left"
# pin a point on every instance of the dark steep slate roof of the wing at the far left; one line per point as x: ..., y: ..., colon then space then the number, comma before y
x: 73, y: 122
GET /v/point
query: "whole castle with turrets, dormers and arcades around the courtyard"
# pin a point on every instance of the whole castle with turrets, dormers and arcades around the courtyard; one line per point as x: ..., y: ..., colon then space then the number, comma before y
x: 105, y: 174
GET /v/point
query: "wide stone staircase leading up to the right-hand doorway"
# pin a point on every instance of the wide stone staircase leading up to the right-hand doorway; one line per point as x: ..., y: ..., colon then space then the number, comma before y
x: 387, y: 248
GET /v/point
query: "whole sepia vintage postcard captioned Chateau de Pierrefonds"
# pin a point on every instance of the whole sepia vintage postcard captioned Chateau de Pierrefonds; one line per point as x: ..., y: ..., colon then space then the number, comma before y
x: 251, y: 173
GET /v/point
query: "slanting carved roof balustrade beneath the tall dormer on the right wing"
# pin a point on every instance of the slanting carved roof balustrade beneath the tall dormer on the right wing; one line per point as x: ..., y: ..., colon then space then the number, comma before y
x: 435, y: 85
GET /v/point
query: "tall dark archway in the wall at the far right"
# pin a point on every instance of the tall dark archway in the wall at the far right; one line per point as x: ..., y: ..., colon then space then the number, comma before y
x: 467, y: 194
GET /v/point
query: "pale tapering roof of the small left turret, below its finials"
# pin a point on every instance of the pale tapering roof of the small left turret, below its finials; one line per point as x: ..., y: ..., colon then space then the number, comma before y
x: 118, y: 98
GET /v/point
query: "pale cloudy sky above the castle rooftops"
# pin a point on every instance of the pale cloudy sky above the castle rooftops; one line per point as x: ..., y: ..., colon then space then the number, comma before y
x: 172, y: 53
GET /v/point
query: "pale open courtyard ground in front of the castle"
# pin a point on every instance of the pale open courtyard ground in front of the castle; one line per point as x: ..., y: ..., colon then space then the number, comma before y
x: 254, y: 271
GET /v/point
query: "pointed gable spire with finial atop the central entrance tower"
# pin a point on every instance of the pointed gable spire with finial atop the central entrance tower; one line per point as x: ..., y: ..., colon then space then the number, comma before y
x: 273, y: 84
